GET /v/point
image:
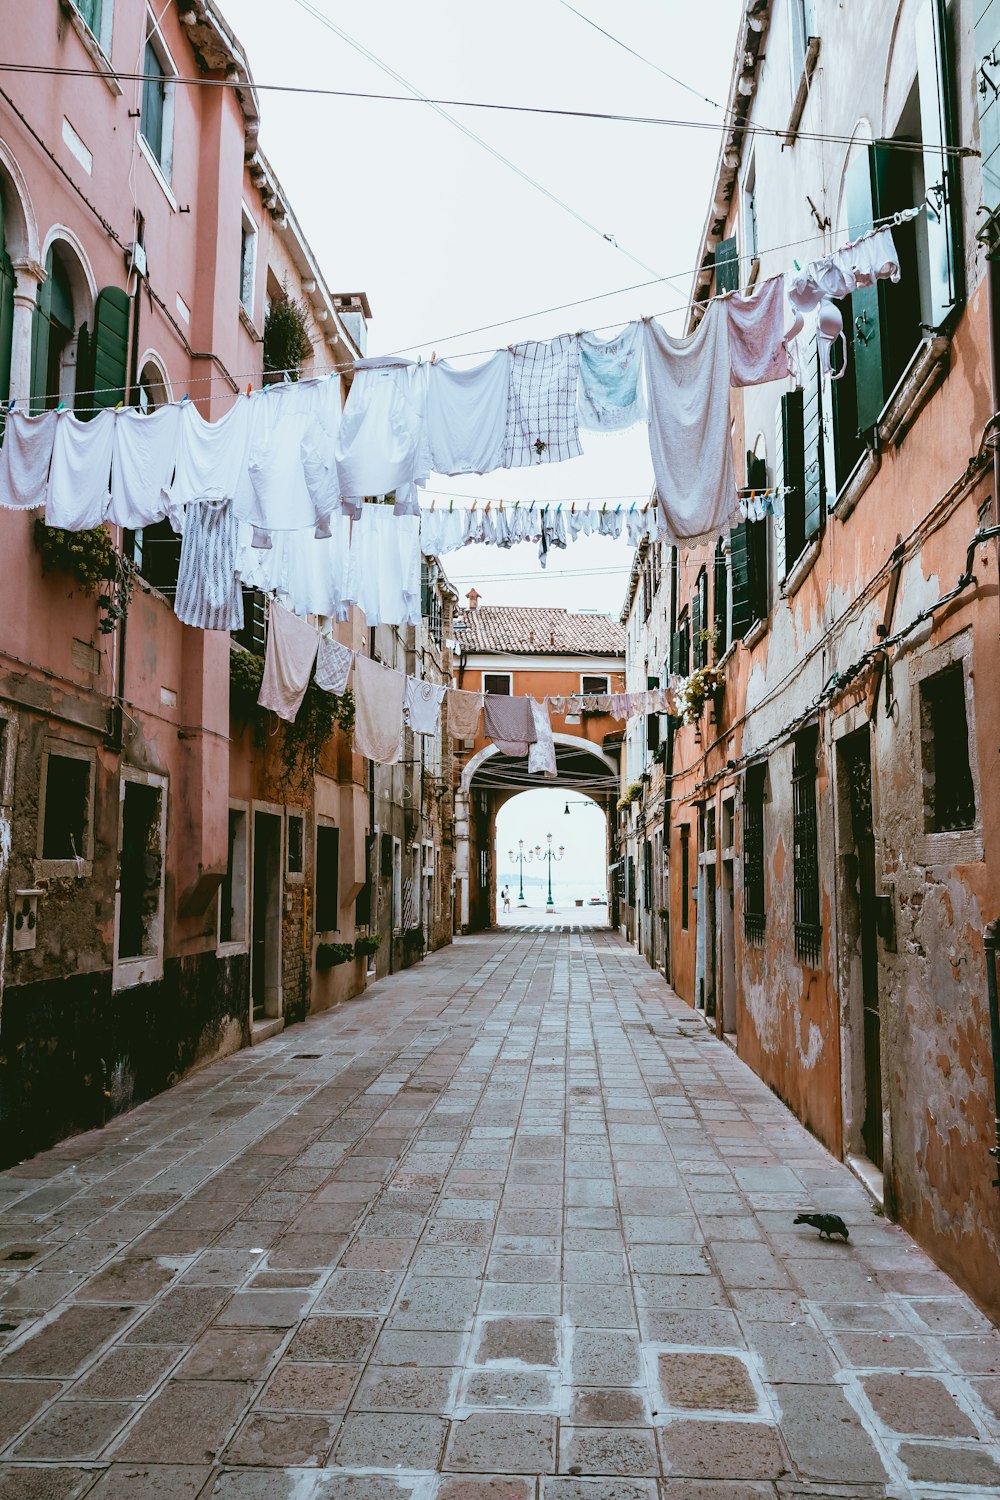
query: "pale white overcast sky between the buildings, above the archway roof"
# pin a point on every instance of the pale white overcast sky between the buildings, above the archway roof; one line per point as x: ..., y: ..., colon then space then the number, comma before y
x: 443, y: 238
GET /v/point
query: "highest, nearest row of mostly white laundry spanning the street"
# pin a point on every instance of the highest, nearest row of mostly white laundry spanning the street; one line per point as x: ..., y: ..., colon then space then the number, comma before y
x: 289, y: 457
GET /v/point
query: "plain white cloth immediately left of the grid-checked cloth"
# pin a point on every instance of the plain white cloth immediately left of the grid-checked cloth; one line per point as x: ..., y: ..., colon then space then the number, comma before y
x: 467, y: 415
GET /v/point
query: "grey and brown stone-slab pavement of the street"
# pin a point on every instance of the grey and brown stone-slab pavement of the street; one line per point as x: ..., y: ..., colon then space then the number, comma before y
x: 512, y: 1228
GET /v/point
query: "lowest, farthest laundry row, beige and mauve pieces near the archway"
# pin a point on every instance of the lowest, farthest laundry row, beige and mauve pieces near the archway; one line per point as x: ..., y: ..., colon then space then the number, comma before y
x: 386, y: 700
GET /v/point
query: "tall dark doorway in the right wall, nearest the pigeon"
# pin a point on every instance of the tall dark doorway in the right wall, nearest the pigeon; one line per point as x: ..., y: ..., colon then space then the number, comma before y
x: 857, y: 760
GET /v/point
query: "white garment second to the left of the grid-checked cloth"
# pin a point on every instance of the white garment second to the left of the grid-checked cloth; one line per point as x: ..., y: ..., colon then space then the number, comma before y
x: 382, y: 445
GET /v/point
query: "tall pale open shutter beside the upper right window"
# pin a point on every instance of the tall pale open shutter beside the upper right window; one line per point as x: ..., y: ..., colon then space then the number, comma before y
x: 941, y: 172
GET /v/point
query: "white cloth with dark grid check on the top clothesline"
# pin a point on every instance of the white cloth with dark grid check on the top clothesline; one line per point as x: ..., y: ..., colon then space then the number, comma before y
x: 542, y: 403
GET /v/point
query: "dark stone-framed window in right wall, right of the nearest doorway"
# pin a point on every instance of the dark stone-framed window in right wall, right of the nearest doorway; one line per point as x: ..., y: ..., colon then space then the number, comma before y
x: 950, y: 794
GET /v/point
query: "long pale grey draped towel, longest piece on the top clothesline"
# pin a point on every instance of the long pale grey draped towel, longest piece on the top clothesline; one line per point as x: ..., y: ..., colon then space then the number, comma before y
x: 690, y: 428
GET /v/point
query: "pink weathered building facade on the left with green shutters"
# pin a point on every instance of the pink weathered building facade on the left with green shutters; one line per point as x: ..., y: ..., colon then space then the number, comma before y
x: 160, y: 869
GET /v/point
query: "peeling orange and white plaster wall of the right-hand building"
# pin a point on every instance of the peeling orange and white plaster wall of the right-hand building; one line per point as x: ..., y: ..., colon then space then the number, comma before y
x: 801, y: 1028
